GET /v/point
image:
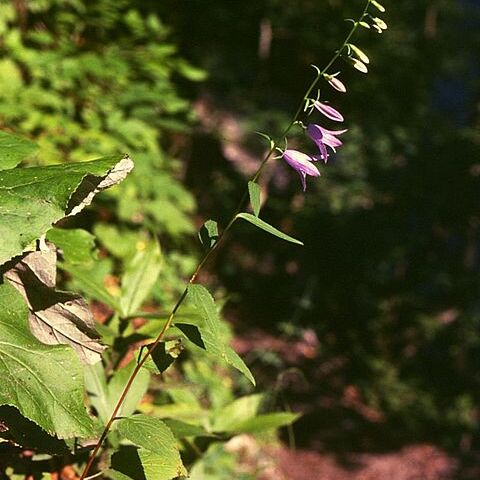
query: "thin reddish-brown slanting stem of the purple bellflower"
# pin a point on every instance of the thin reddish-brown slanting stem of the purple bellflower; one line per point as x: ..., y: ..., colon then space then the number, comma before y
x: 207, y: 255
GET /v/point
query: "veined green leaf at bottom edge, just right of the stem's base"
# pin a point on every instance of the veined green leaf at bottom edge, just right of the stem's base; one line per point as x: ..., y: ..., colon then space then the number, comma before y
x: 158, y: 450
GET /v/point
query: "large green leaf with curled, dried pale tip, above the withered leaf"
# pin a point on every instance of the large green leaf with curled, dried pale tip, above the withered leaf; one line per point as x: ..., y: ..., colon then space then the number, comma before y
x: 32, y: 199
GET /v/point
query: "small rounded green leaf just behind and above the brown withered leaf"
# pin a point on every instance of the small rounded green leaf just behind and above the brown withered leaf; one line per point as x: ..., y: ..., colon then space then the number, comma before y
x: 76, y: 245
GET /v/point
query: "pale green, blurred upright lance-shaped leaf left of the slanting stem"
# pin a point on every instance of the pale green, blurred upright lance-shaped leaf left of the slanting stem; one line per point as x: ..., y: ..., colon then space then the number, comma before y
x: 141, y: 274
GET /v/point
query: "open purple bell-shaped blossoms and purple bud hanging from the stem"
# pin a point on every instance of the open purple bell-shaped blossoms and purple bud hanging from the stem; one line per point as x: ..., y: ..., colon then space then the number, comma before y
x: 322, y: 138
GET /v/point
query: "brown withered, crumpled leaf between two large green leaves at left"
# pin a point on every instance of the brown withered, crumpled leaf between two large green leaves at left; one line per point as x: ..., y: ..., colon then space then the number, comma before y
x: 54, y: 316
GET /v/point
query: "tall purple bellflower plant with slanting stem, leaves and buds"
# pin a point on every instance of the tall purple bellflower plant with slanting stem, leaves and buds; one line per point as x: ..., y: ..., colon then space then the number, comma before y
x: 326, y: 141
